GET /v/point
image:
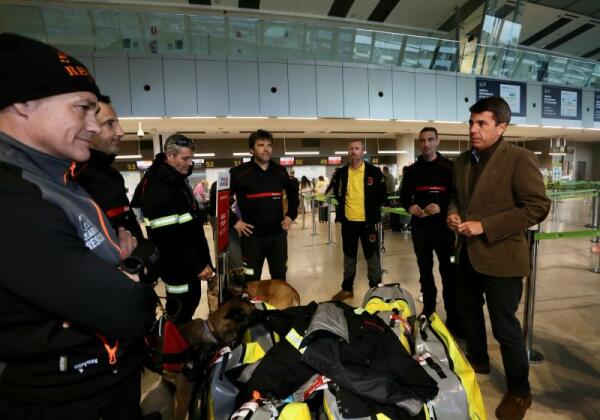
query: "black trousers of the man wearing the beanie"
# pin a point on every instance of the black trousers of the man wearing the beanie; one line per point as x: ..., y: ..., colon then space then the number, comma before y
x: 120, y: 402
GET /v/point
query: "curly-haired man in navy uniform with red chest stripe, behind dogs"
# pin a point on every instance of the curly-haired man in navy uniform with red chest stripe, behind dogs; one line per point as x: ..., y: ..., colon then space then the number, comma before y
x: 259, y: 187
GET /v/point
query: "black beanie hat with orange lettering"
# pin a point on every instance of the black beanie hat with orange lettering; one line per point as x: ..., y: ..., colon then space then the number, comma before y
x: 30, y: 69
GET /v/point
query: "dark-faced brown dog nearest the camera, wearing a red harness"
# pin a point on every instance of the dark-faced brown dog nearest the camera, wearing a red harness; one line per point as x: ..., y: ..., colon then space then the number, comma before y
x: 224, y: 327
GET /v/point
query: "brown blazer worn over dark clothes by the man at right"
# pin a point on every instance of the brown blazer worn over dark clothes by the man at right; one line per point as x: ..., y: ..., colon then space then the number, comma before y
x: 508, y: 198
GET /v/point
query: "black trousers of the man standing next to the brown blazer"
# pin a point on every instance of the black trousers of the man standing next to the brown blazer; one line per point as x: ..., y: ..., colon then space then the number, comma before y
x: 426, y: 241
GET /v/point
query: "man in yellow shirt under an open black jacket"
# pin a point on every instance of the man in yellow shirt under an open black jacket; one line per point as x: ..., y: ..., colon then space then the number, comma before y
x: 359, y: 188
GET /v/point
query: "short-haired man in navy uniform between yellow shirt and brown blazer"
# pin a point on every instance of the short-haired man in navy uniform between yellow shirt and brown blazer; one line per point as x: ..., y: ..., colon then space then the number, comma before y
x: 425, y: 193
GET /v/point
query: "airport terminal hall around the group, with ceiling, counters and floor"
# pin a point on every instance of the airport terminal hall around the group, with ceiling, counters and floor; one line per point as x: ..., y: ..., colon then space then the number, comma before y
x: 319, y: 73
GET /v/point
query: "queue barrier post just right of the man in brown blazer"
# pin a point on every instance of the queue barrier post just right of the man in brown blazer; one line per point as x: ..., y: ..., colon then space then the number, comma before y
x: 533, y: 356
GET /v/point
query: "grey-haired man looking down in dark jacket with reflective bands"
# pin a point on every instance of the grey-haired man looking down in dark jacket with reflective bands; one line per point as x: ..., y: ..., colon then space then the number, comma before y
x: 174, y: 223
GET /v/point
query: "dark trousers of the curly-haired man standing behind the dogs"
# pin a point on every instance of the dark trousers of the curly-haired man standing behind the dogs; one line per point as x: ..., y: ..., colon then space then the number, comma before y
x: 255, y: 248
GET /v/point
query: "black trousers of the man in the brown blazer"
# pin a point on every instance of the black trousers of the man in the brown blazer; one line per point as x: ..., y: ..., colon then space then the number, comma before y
x: 502, y: 295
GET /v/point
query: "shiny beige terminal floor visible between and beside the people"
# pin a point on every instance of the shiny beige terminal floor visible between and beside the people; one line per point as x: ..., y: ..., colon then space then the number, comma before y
x: 567, y: 310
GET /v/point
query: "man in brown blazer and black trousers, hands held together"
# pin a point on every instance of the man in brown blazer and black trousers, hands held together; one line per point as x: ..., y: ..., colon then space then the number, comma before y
x: 498, y: 192
